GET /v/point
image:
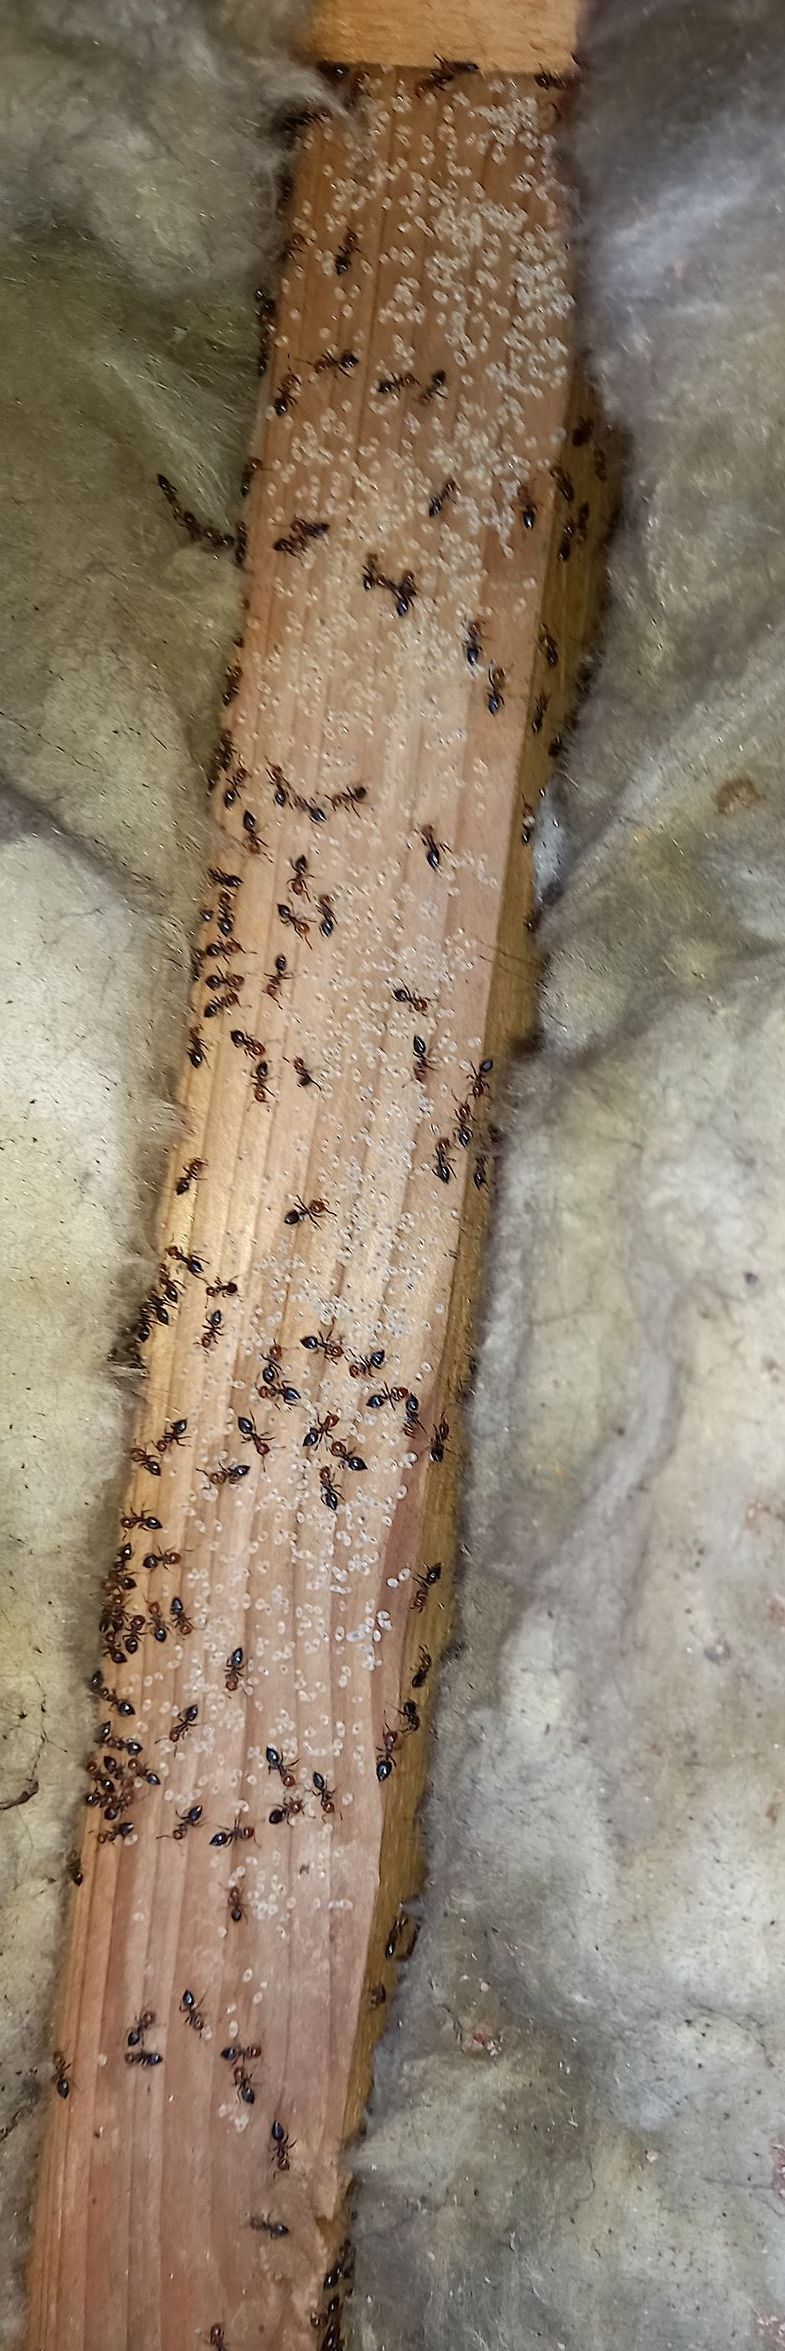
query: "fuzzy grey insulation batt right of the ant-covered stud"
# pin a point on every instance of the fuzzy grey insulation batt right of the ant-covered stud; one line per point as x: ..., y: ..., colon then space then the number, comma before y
x: 579, y: 2119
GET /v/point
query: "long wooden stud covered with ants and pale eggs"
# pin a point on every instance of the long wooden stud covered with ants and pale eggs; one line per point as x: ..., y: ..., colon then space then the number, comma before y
x: 161, y: 2185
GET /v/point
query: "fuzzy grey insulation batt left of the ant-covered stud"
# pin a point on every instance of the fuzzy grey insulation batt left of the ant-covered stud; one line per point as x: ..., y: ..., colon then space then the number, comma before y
x: 140, y: 175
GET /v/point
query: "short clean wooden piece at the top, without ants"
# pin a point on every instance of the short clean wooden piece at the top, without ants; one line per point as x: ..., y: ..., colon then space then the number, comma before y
x: 492, y: 34
